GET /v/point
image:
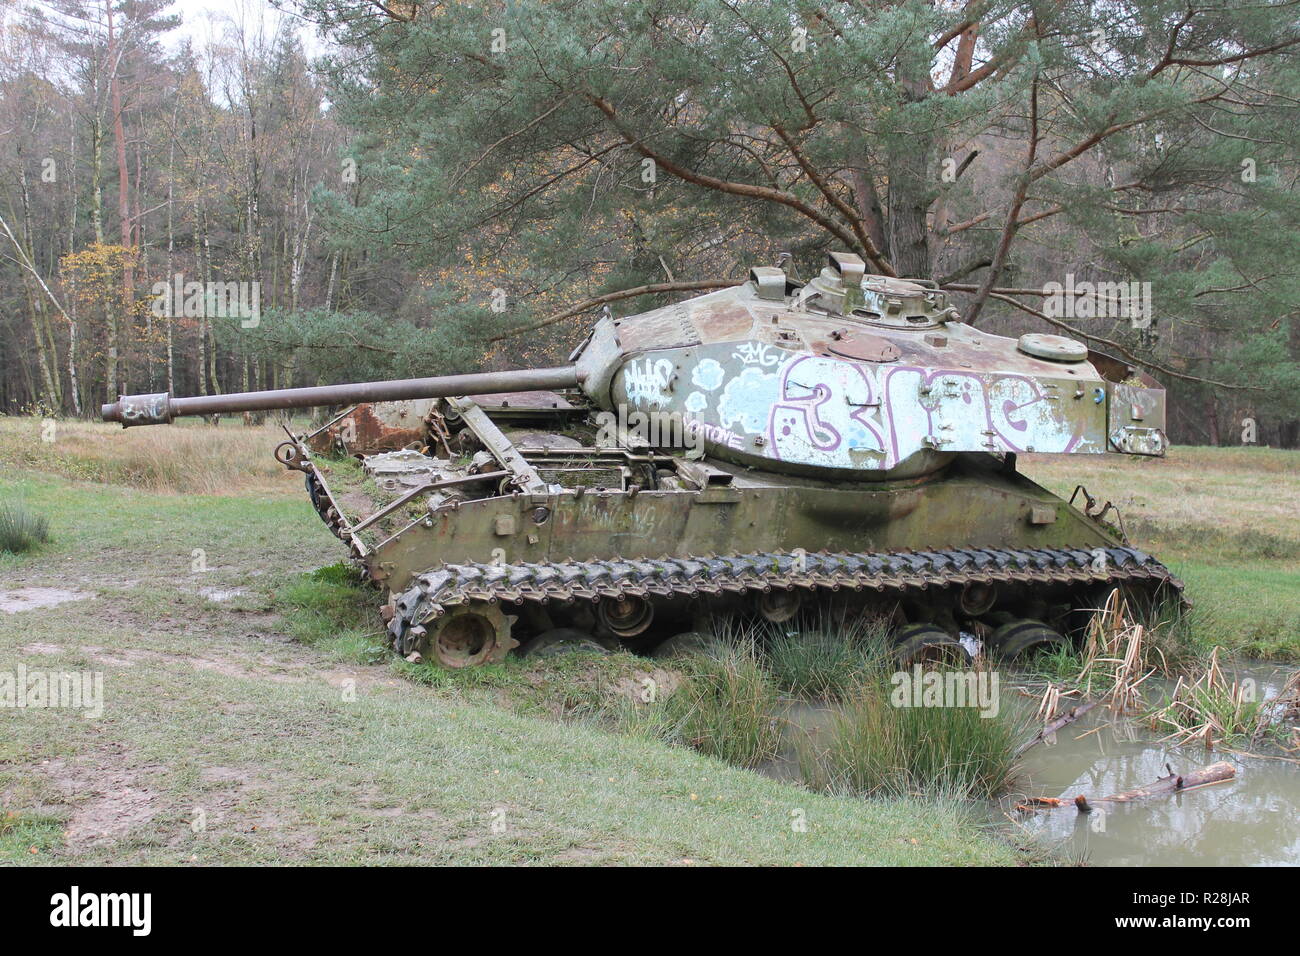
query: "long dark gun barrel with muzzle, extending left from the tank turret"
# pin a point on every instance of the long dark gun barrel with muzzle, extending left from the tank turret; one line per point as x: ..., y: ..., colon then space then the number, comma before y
x: 162, y: 408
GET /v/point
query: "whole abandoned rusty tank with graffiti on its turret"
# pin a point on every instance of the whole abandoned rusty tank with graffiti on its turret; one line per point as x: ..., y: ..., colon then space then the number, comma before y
x: 772, y: 449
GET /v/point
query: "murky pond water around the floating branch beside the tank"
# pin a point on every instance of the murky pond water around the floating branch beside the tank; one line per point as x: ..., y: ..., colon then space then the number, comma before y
x: 1249, y: 821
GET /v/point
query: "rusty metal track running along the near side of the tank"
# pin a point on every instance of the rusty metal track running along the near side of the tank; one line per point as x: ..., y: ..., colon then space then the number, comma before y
x: 885, y: 573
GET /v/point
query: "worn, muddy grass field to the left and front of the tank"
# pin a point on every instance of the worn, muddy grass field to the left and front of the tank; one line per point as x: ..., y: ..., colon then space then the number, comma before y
x: 240, y: 729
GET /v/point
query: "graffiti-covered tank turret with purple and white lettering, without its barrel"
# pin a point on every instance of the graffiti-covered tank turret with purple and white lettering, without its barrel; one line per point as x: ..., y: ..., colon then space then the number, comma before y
x: 861, y: 377
